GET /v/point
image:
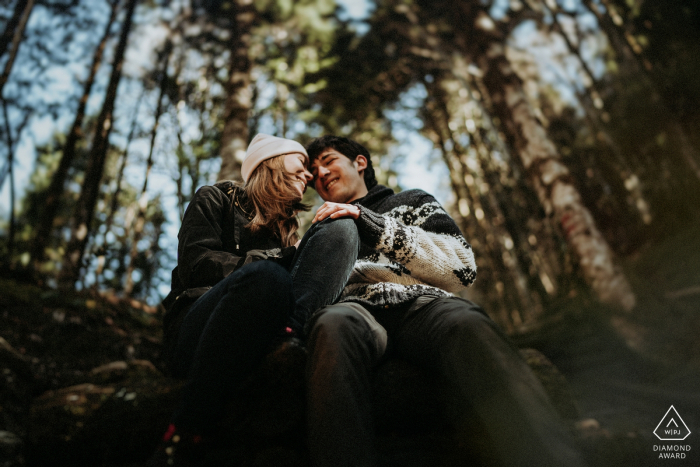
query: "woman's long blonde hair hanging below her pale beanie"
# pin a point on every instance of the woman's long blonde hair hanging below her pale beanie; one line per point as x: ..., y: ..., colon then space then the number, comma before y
x: 275, y: 200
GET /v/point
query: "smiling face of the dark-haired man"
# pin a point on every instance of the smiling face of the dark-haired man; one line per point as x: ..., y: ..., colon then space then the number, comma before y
x: 337, y: 178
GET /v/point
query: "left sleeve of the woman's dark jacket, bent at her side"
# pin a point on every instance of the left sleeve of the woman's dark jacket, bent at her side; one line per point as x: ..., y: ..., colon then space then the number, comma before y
x: 201, y: 258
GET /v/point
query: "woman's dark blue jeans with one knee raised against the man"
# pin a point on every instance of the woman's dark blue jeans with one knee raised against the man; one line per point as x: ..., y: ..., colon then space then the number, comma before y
x: 227, y: 331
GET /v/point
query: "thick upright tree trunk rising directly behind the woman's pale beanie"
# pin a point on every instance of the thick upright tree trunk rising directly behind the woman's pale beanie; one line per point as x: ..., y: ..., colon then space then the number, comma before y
x: 235, y: 137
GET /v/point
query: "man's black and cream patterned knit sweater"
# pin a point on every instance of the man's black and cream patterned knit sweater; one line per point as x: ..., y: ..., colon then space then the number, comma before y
x: 410, y: 247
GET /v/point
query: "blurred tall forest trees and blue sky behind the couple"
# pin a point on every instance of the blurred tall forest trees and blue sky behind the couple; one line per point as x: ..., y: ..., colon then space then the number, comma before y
x: 568, y: 130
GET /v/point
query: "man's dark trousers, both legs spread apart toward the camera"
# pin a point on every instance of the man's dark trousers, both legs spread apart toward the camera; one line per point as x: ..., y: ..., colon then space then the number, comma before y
x: 481, y: 371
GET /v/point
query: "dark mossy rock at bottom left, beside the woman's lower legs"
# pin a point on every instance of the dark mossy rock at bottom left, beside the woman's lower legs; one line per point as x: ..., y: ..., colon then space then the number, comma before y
x: 117, y: 421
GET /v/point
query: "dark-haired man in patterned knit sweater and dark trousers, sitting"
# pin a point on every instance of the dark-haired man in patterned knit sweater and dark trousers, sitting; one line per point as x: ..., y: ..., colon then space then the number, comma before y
x: 398, y: 299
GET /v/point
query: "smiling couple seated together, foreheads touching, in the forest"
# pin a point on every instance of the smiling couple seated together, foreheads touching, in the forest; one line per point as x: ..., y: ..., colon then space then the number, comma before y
x: 373, y: 275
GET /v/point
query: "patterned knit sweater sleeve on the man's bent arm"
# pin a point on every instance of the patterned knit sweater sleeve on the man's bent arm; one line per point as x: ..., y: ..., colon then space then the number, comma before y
x: 424, y: 240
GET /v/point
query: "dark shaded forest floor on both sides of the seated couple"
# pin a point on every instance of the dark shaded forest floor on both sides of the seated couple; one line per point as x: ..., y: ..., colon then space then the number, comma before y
x: 624, y: 370
